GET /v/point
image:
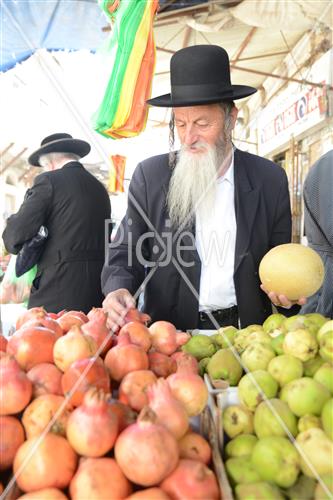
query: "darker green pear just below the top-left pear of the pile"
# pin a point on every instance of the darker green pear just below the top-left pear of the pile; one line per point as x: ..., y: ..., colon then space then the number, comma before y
x: 224, y: 365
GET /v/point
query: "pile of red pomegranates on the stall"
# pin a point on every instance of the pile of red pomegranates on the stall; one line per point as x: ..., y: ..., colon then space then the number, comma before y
x: 88, y: 413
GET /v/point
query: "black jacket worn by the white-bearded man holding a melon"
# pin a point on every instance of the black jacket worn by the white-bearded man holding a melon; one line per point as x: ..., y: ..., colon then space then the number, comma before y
x: 263, y: 218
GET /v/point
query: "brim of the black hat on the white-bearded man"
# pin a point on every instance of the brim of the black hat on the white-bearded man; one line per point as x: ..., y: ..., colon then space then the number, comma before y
x: 236, y: 92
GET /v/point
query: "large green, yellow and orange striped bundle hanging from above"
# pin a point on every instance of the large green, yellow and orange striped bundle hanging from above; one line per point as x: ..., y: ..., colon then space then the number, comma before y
x: 123, y: 111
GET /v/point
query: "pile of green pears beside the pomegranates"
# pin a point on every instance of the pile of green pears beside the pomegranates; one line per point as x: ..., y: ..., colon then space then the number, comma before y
x: 280, y: 435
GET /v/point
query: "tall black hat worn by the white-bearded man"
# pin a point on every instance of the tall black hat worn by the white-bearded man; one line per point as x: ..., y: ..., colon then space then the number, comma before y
x: 200, y: 75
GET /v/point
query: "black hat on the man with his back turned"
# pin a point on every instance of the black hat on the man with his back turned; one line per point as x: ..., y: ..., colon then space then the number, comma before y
x: 59, y: 143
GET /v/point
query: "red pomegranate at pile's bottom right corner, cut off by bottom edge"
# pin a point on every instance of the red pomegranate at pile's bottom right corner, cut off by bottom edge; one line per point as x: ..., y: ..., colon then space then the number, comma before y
x: 191, y: 479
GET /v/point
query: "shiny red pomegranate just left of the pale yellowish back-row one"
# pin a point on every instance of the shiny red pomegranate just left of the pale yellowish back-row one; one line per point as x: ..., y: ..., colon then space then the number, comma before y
x: 32, y: 345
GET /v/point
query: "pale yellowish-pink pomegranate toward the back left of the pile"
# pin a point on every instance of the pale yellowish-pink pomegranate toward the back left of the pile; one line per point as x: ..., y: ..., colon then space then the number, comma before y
x: 73, y: 346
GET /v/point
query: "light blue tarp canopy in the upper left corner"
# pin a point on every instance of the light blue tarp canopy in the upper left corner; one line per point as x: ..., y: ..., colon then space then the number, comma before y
x: 28, y: 25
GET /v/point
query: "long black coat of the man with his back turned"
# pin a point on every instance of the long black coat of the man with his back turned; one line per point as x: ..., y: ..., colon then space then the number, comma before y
x: 73, y: 205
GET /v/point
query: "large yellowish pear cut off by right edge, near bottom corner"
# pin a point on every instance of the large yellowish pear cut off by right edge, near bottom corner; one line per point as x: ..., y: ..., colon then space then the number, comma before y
x: 316, y: 452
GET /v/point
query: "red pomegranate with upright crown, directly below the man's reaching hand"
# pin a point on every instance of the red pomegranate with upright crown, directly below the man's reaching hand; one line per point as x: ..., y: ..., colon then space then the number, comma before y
x: 125, y: 358
